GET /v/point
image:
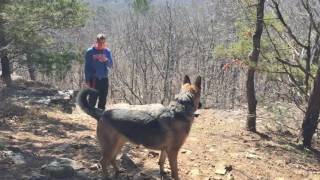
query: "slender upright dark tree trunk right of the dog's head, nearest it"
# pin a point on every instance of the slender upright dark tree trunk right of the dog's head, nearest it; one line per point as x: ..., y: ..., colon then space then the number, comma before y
x: 253, y: 57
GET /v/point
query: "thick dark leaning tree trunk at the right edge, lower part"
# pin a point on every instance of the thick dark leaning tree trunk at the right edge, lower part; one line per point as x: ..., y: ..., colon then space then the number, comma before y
x: 310, y: 121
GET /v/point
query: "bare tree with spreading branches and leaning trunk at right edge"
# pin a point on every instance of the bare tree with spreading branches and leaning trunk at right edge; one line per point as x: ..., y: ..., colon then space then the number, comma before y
x: 305, y: 55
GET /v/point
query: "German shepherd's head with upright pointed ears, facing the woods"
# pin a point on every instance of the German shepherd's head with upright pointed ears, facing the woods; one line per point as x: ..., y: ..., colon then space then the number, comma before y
x: 194, y: 89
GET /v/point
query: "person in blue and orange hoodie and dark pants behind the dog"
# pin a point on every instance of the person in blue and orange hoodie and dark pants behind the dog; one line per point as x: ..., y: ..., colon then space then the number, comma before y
x: 98, y: 61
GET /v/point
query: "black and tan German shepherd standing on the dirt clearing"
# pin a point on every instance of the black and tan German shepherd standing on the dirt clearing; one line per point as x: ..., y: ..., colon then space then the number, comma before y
x: 164, y: 129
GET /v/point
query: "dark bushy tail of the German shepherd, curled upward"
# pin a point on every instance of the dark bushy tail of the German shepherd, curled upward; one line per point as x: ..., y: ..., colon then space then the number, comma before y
x: 84, y: 104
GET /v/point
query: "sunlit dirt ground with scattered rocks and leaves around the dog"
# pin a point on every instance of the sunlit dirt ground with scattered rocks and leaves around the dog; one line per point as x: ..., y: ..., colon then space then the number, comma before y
x: 44, y: 139
